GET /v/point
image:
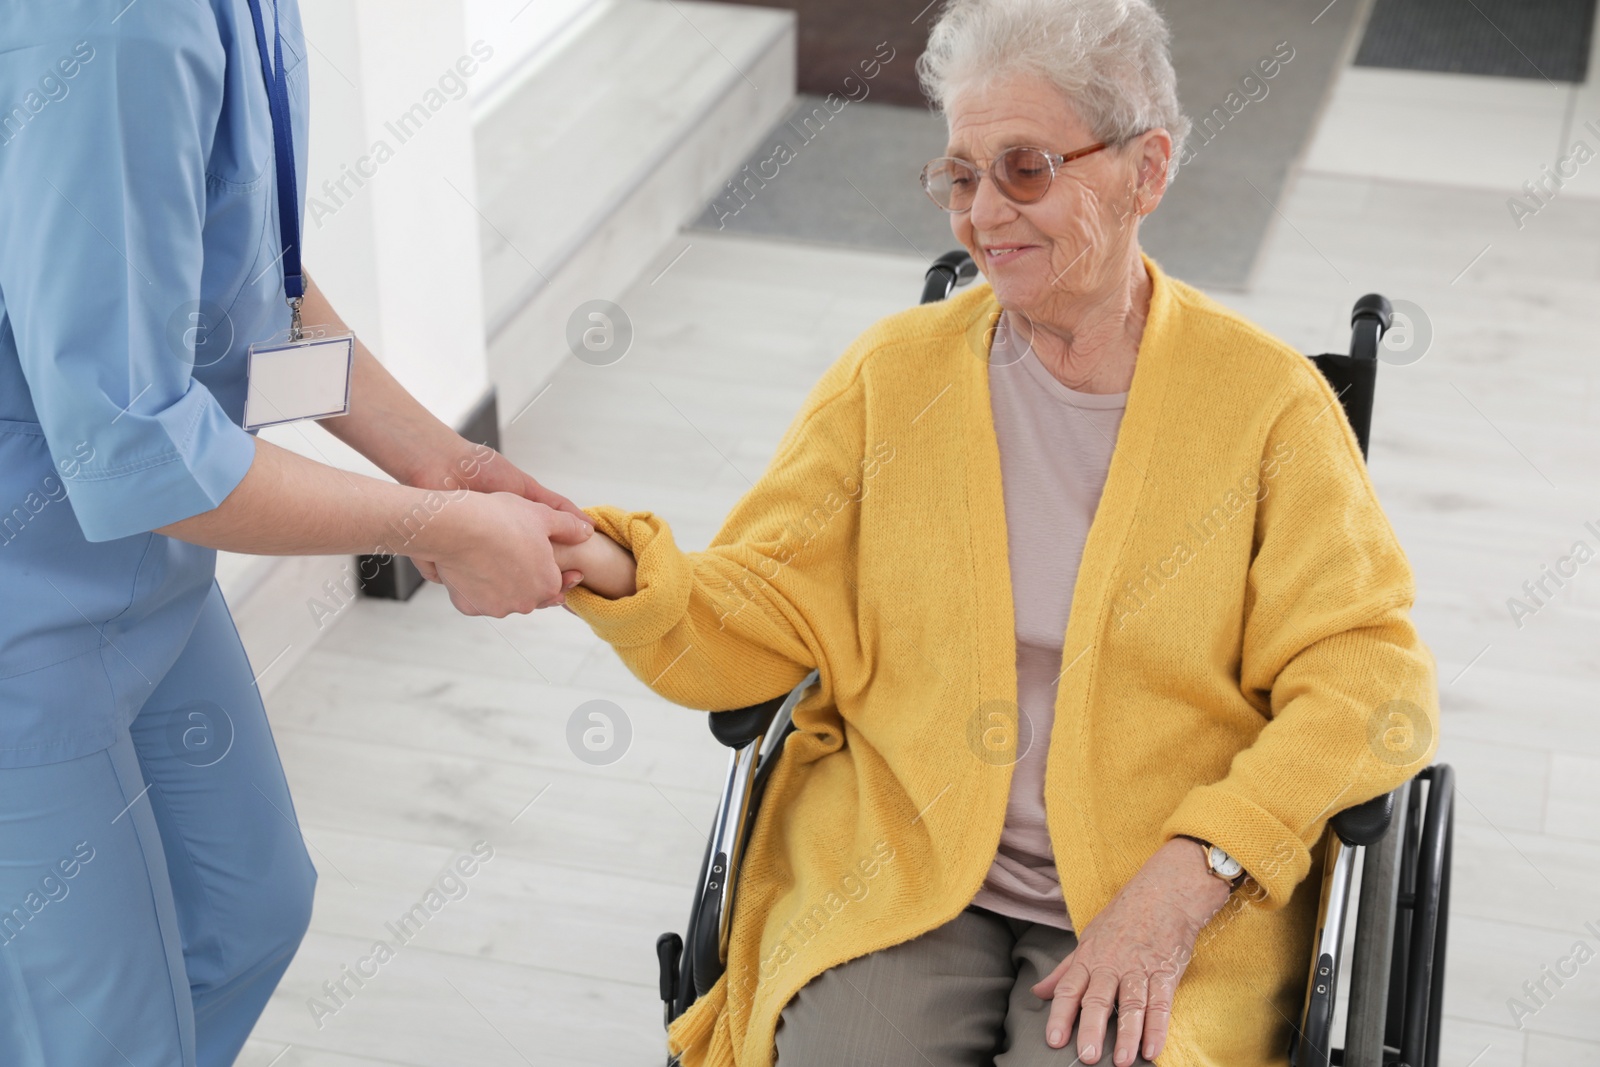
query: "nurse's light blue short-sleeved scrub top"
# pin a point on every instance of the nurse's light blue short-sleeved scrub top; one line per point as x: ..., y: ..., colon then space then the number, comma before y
x: 138, y: 262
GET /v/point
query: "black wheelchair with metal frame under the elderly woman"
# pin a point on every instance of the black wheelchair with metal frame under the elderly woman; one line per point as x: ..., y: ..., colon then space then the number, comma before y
x: 1396, y: 969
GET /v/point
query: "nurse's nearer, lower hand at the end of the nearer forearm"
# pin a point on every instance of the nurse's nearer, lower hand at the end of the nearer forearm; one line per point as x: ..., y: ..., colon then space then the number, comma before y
x: 494, y: 553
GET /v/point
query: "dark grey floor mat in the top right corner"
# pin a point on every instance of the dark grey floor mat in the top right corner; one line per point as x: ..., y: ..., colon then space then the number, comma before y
x: 1510, y: 39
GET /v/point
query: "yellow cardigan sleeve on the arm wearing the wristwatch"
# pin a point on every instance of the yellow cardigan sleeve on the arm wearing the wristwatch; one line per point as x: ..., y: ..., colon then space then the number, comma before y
x: 1330, y: 657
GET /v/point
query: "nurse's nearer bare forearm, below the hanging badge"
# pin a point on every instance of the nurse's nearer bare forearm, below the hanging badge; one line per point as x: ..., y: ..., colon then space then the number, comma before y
x: 289, y: 505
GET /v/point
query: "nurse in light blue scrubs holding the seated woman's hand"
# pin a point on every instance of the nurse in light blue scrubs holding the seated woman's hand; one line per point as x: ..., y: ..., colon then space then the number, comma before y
x: 153, y: 877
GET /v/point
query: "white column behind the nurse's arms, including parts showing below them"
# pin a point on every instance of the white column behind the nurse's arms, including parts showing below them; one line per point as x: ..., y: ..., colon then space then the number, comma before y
x: 393, y: 239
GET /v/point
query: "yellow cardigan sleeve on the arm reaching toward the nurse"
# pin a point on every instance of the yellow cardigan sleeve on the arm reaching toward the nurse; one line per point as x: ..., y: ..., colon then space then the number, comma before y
x: 748, y: 618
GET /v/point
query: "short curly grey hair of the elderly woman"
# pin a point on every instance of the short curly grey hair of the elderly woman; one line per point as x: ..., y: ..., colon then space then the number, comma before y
x: 1108, y: 57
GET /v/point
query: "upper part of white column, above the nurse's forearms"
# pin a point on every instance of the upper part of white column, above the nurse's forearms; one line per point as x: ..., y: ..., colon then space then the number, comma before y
x: 398, y: 252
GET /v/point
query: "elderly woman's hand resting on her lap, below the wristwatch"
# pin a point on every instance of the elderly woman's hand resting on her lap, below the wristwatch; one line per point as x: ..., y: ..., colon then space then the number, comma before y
x: 1134, y: 956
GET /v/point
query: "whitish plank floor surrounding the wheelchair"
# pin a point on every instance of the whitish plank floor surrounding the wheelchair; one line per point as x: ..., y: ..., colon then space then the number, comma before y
x: 414, y: 733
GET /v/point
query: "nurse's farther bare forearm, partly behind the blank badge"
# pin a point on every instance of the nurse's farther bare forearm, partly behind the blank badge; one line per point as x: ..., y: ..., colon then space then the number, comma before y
x: 386, y: 423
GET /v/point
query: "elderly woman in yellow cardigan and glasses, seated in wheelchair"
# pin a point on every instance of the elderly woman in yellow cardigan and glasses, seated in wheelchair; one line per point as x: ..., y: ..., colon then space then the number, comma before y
x: 1105, y: 609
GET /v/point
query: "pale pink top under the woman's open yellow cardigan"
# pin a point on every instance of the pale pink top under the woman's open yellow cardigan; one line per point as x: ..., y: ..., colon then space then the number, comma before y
x: 1055, y: 454
